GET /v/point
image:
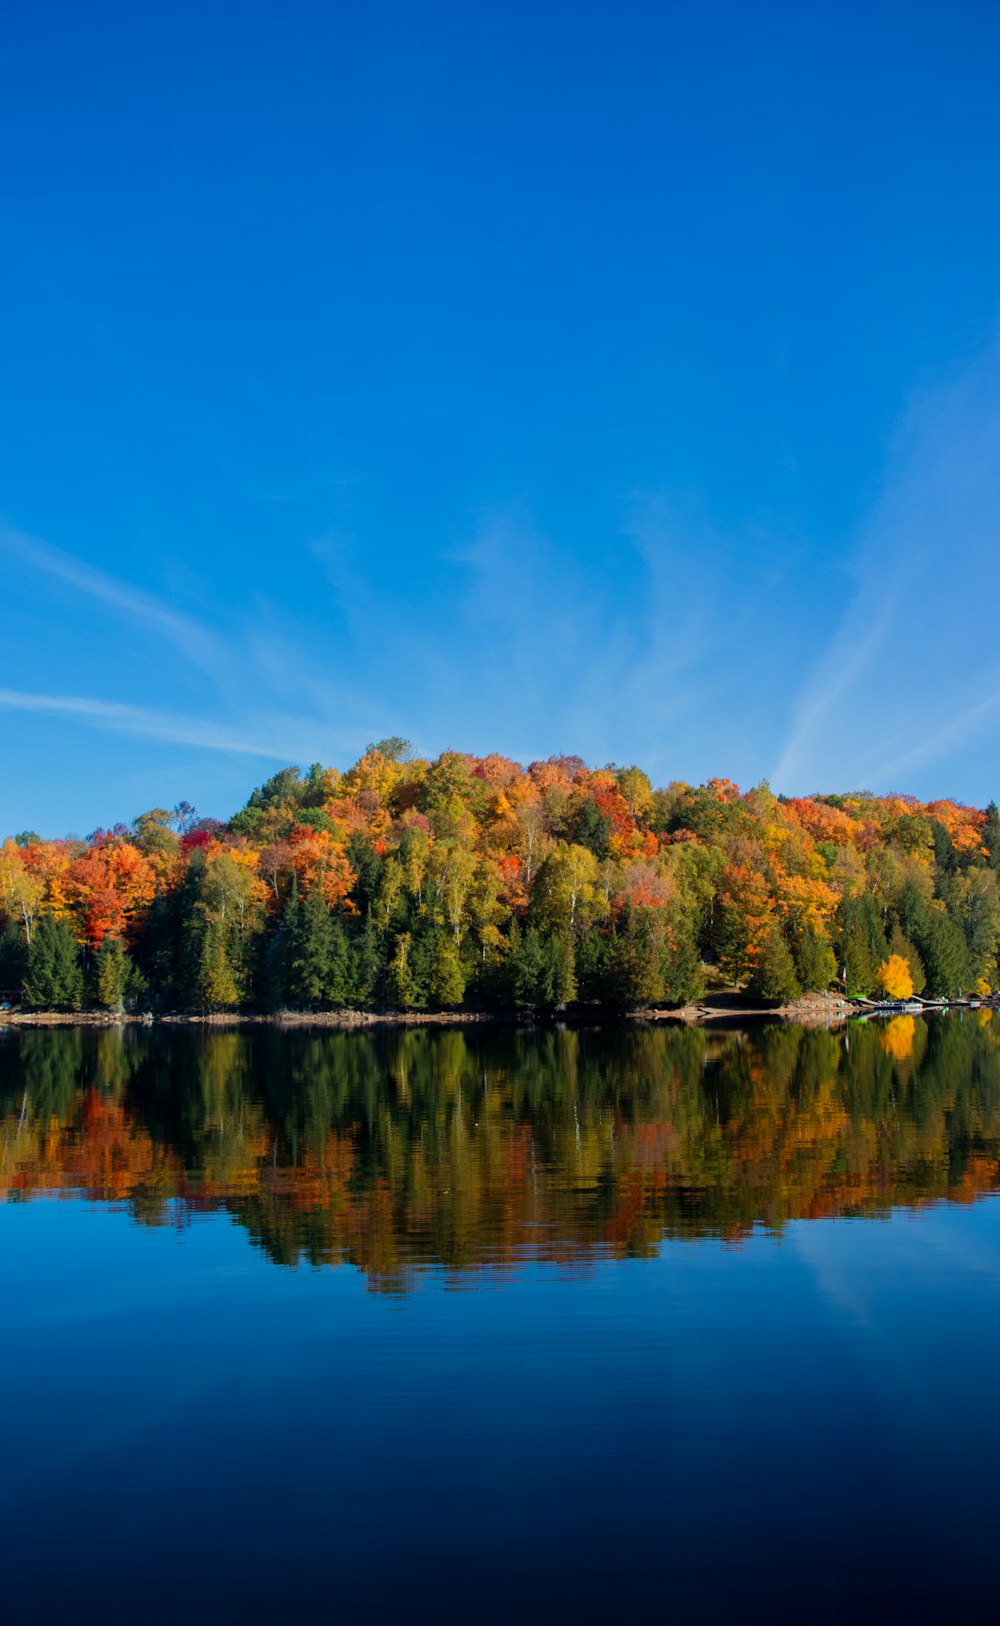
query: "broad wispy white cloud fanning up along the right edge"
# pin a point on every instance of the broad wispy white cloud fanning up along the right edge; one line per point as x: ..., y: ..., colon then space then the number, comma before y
x: 911, y: 672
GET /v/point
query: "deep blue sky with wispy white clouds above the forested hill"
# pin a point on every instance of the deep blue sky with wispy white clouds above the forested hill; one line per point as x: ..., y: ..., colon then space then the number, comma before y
x: 617, y: 380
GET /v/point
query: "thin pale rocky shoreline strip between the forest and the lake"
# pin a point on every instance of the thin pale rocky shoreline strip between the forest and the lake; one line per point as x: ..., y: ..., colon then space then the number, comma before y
x: 817, y: 1011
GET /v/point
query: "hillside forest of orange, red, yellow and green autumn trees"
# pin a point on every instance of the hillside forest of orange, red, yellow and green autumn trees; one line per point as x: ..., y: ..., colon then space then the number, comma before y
x: 477, y: 884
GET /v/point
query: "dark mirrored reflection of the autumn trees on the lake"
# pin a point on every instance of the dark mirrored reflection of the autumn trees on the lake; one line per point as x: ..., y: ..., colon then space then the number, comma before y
x: 480, y: 1149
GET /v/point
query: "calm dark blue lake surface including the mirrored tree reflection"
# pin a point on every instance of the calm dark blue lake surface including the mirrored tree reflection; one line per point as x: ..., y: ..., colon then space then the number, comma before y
x: 500, y: 1326
